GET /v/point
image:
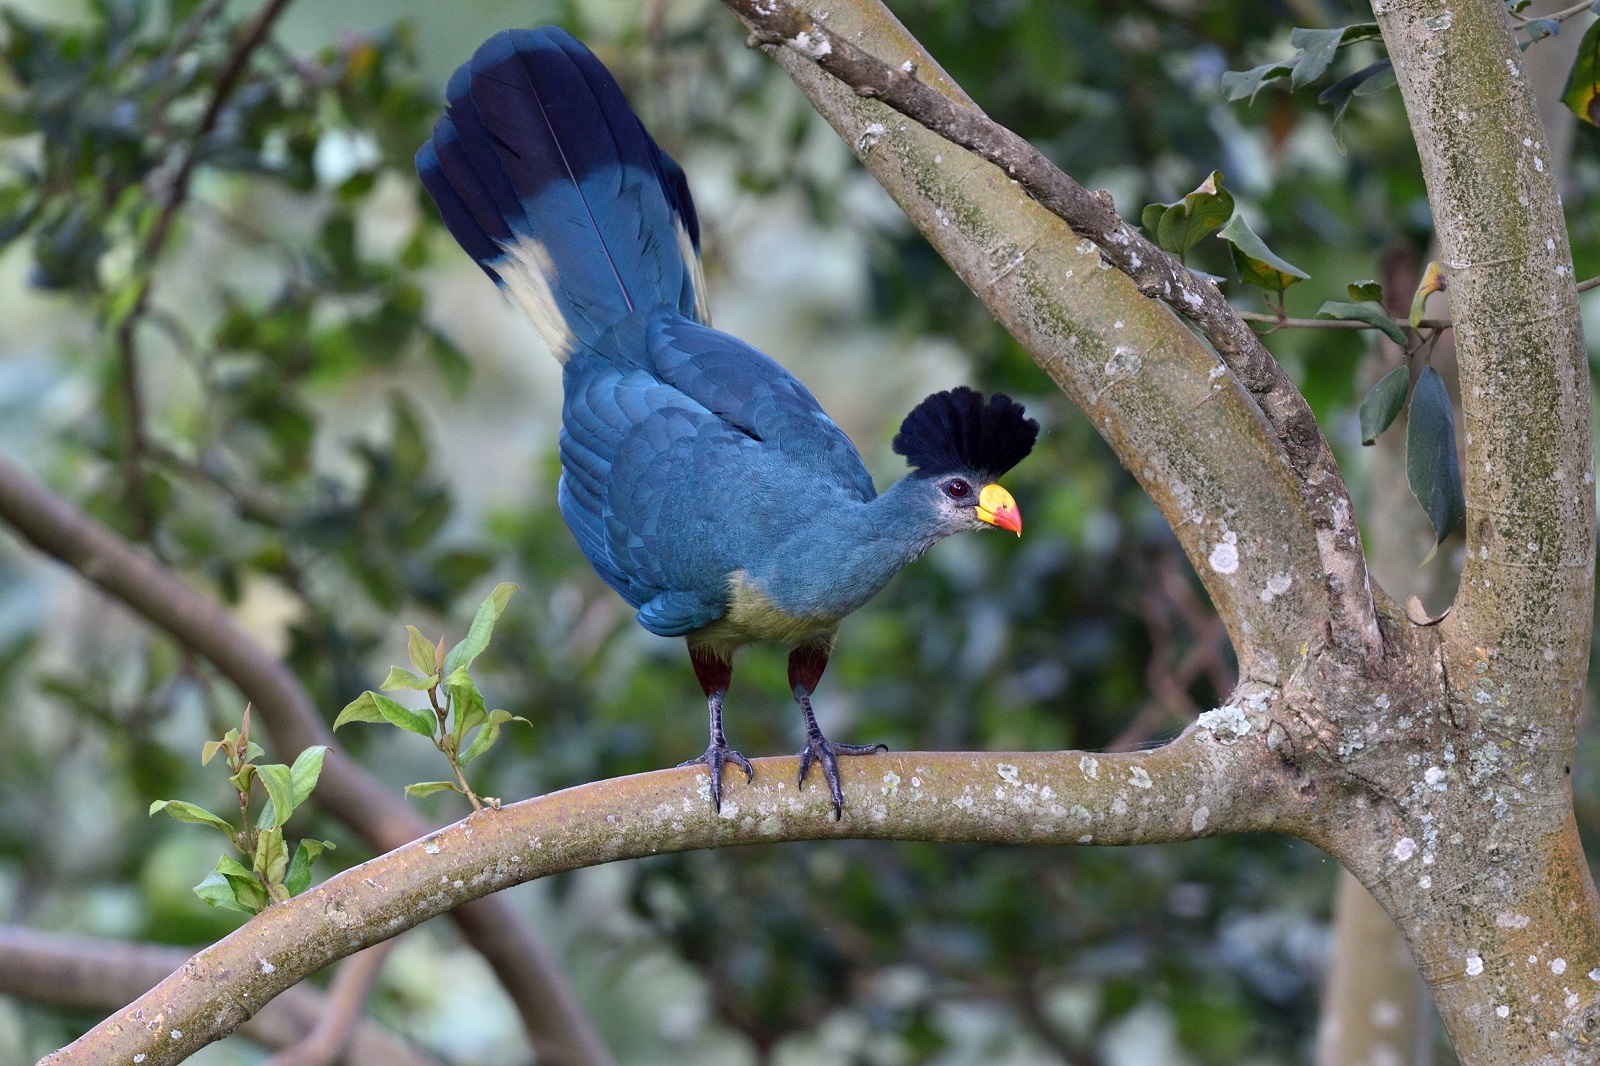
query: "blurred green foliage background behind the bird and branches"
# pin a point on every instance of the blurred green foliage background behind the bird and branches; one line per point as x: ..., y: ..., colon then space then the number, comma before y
x: 326, y: 449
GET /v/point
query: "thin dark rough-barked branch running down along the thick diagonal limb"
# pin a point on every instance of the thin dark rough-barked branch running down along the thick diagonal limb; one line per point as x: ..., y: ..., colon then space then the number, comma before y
x: 1156, y: 275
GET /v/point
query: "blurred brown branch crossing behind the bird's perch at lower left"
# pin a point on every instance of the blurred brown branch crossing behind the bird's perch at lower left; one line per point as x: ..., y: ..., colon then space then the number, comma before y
x: 550, y: 1009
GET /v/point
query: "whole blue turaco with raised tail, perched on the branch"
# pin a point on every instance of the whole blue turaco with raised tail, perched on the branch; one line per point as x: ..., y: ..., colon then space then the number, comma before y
x: 702, y: 479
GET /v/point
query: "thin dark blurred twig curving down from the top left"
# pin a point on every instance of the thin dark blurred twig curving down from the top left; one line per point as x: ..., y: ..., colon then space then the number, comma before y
x: 151, y: 252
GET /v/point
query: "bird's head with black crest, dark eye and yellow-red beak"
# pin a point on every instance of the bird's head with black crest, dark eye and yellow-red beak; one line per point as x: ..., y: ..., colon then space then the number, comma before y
x: 959, y: 446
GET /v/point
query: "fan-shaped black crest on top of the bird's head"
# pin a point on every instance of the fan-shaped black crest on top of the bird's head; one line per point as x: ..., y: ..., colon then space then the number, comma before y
x: 958, y: 433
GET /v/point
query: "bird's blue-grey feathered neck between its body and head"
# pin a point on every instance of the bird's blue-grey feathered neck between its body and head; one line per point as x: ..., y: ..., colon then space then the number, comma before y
x: 850, y: 551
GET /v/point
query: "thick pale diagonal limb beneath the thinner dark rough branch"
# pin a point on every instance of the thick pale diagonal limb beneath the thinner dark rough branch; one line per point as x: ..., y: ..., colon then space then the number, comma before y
x: 1180, y: 425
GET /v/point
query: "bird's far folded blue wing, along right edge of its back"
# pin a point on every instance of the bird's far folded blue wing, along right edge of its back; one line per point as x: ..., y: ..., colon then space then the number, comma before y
x: 754, y: 395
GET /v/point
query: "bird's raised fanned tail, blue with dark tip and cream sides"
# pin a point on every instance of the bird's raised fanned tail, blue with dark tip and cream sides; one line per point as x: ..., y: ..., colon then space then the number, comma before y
x: 550, y: 180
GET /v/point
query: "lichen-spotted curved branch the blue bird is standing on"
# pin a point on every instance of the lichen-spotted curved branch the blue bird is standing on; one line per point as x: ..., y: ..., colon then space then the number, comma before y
x: 1201, y: 785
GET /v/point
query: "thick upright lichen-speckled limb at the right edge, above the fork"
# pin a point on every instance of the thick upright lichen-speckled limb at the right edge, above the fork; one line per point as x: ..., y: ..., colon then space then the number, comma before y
x: 1527, y: 588
